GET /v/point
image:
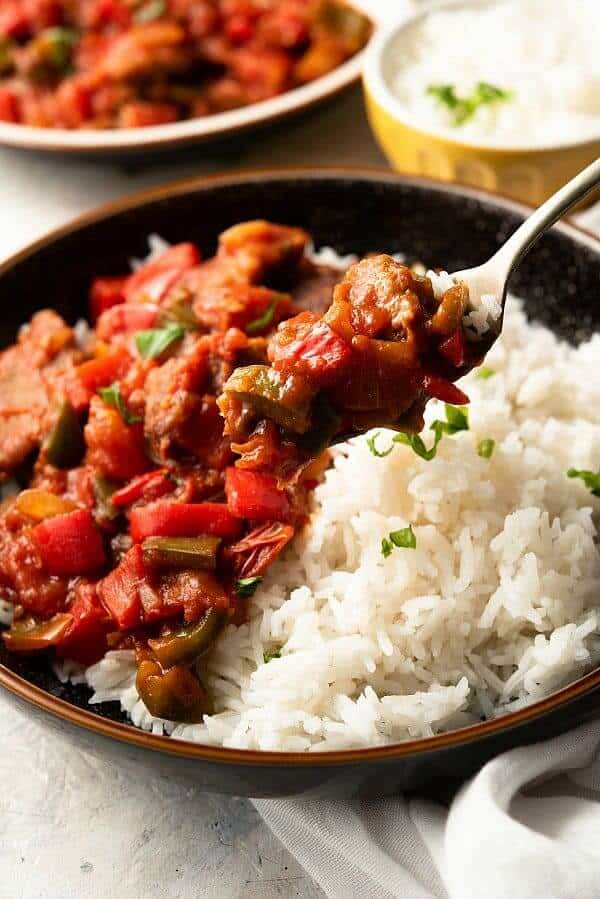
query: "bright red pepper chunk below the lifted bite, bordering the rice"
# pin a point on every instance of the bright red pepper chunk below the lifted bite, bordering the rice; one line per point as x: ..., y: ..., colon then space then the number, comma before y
x: 254, y: 495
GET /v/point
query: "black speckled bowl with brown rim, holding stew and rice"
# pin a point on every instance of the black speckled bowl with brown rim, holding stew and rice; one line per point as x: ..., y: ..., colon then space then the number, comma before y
x: 353, y: 211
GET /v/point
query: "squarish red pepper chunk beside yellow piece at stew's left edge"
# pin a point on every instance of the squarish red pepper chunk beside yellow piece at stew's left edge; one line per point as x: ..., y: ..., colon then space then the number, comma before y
x: 70, y: 544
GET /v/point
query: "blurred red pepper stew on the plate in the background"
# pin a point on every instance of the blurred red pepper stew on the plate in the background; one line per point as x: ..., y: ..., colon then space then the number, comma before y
x: 130, y: 63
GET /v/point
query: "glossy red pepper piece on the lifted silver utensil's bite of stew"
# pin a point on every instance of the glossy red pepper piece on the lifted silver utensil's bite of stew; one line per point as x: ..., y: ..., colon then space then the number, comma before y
x: 314, y: 351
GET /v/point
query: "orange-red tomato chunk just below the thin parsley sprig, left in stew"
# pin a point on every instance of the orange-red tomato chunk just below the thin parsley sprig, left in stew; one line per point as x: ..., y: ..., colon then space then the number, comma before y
x: 114, y: 447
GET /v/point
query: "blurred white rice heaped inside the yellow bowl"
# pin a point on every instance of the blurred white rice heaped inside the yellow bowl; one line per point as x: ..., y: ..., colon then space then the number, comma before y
x: 545, y: 52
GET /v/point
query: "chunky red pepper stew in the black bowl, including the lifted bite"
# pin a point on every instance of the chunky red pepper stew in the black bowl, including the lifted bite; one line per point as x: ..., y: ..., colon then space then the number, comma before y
x: 168, y: 454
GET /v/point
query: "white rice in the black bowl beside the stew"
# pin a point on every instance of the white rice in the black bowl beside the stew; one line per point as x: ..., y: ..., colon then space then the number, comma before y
x: 497, y: 606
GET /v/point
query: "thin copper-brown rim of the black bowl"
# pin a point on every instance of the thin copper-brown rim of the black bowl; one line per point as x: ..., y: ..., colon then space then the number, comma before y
x: 128, y: 733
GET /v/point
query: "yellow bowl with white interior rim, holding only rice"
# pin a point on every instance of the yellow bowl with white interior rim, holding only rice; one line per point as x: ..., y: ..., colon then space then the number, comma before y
x: 527, y: 173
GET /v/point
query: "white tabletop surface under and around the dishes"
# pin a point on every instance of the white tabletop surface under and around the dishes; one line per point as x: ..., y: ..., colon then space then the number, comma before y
x: 70, y: 826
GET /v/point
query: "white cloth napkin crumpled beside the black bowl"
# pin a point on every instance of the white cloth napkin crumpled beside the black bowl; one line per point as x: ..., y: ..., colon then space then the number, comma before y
x: 518, y: 829
